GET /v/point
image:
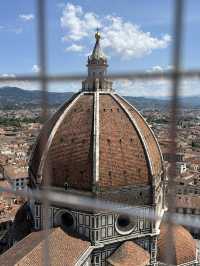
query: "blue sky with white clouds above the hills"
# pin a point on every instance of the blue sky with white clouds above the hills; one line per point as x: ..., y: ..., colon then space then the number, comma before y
x: 136, y: 35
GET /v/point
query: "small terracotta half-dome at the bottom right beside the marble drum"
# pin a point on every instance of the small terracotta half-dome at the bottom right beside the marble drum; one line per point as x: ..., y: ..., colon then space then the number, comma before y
x: 182, y: 245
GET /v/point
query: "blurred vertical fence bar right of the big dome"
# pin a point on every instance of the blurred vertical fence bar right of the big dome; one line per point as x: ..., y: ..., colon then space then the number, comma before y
x: 176, y: 58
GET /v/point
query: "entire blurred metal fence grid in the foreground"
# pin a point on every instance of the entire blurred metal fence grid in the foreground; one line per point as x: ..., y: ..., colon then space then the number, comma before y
x: 175, y: 75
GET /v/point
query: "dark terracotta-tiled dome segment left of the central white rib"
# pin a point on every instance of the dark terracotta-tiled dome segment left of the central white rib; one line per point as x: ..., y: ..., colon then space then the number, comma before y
x: 70, y: 155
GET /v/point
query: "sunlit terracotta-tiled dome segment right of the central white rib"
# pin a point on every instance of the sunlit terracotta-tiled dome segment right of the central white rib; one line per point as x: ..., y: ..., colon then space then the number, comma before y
x: 122, y: 156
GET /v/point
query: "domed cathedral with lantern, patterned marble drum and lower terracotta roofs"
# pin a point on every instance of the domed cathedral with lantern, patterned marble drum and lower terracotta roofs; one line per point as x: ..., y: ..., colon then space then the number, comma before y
x: 97, y: 146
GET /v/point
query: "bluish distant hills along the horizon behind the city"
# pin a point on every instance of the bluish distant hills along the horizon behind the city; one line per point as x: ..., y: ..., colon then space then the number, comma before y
x: 14, y: 98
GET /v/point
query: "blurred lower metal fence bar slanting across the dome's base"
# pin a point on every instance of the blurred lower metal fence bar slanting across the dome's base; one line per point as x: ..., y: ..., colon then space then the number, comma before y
x: 72, y: 200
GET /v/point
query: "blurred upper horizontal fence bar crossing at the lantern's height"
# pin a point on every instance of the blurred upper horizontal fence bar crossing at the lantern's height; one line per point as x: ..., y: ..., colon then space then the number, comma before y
x: 115, y: 76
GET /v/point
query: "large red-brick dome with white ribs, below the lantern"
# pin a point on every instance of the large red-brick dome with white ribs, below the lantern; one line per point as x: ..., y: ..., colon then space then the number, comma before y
x: 96, y: 140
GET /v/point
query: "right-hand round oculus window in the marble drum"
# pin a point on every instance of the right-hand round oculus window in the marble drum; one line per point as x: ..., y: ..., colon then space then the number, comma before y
x: 125, y: 224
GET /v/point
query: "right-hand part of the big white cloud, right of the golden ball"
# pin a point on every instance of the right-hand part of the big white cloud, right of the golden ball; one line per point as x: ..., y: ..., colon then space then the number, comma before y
x: 128, y: 40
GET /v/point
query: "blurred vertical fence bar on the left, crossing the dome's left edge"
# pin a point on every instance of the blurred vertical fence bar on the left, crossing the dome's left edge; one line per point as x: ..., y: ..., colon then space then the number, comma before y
x: 42, y: 51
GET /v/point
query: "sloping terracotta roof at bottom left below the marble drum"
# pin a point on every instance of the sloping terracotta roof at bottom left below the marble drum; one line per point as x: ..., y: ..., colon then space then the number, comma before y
x: 63, y: 250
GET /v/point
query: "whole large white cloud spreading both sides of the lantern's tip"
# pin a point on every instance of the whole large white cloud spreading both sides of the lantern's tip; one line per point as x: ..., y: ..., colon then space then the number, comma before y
x: 122, y: 37
